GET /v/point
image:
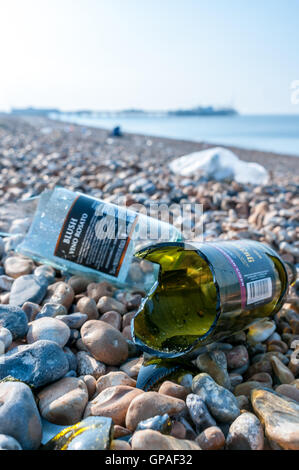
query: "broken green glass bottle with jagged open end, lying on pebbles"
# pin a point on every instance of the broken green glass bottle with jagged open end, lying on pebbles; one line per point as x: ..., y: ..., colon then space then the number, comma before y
x: 206, y: 292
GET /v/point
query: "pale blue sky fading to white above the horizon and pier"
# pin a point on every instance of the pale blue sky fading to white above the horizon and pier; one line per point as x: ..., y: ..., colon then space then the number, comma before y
x: 154, y: 54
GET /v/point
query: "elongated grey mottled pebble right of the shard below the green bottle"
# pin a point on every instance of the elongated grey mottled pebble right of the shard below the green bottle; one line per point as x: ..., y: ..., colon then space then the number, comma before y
x: 221, y: 403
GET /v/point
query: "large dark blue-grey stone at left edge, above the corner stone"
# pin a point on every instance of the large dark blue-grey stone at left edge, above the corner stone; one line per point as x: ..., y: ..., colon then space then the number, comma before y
x: 36, y: 364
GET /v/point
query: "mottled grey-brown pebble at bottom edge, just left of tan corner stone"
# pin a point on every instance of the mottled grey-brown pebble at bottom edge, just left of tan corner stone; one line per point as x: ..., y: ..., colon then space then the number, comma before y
x: 245, y: 433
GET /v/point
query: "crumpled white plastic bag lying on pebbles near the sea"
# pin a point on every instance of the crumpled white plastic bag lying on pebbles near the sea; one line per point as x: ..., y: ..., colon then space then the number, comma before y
x: 219, y: 163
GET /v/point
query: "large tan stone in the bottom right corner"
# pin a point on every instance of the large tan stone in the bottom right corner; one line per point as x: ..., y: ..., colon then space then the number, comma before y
x: 280, y: 418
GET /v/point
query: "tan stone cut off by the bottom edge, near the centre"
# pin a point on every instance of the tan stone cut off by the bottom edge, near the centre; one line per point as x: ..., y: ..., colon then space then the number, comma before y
x: 154, y: 440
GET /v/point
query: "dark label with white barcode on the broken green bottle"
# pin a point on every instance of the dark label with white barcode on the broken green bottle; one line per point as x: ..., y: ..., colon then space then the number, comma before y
x: 244, y: 272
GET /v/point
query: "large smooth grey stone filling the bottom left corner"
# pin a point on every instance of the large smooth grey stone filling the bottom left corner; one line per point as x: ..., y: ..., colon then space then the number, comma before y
x: 19, y: 416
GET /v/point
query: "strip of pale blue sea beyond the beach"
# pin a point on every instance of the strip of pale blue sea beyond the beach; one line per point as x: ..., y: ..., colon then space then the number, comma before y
x: 272, y: 133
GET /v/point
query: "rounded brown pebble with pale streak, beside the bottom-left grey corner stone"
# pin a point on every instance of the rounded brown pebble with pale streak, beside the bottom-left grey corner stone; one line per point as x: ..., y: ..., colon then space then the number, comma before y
x: 64, y: 401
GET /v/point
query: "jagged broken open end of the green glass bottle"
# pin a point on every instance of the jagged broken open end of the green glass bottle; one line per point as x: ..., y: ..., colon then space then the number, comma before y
x: 183, y: 306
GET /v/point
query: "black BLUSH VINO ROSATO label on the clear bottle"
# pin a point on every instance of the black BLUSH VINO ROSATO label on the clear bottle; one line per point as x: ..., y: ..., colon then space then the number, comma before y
x: 96, y: 235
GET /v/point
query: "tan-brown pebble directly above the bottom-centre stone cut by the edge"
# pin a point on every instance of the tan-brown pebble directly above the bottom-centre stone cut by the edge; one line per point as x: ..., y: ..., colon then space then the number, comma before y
x: 150, y: 404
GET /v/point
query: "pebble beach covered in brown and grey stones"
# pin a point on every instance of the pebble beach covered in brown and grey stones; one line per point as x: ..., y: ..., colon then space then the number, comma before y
x: 66, y: 351
